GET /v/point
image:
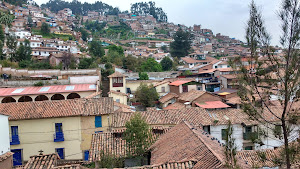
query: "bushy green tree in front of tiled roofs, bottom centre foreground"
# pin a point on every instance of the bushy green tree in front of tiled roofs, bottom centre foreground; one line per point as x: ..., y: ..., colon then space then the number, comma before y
x: 137, y: 135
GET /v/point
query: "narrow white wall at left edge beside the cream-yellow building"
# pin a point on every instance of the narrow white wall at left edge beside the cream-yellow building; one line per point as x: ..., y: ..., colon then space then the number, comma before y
x: 4, y: 135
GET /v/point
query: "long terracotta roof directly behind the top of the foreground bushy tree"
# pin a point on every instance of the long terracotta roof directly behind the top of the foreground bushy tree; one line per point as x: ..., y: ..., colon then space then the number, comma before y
x: 193, y: 115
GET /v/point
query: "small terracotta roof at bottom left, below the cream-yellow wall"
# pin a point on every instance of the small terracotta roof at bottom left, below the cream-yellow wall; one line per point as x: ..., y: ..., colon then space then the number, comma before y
x: 42, y: 161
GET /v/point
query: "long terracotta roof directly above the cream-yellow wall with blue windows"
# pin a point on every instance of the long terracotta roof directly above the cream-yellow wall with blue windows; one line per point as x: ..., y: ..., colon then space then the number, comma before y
x: 57, y: 108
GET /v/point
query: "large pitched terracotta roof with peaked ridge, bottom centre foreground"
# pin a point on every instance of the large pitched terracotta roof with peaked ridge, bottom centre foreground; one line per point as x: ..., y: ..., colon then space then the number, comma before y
x: 184, y: 142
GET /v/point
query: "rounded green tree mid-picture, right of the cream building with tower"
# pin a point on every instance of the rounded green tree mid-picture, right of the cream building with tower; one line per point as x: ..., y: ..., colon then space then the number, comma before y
x: 146, y: 95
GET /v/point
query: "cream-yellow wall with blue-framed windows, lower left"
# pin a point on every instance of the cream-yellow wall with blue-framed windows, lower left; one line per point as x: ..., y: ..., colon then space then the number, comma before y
x: 38, y: 134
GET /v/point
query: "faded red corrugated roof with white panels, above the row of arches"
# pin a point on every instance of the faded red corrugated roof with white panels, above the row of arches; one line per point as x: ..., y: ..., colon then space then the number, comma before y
x: 47, y: 89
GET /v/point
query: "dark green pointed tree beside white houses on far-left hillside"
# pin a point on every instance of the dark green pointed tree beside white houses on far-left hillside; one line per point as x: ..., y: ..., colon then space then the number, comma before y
x: 23, y: 52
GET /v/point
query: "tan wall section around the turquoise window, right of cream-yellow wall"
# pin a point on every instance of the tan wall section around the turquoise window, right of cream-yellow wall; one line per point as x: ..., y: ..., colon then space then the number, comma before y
x: 88, y: 128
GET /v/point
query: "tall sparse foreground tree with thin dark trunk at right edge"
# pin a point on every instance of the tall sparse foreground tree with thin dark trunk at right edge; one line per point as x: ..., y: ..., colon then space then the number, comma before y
x: 272, y: 75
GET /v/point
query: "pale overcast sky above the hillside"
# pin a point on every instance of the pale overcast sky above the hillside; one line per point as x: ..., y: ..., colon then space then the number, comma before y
x: 227, y: 17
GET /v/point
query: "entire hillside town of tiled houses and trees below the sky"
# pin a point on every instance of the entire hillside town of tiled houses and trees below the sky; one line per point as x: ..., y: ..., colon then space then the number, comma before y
x: 121, y: 89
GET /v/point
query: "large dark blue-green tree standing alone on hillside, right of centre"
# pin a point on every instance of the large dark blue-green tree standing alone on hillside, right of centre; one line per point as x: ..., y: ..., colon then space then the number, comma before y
x: 182, y: 44
